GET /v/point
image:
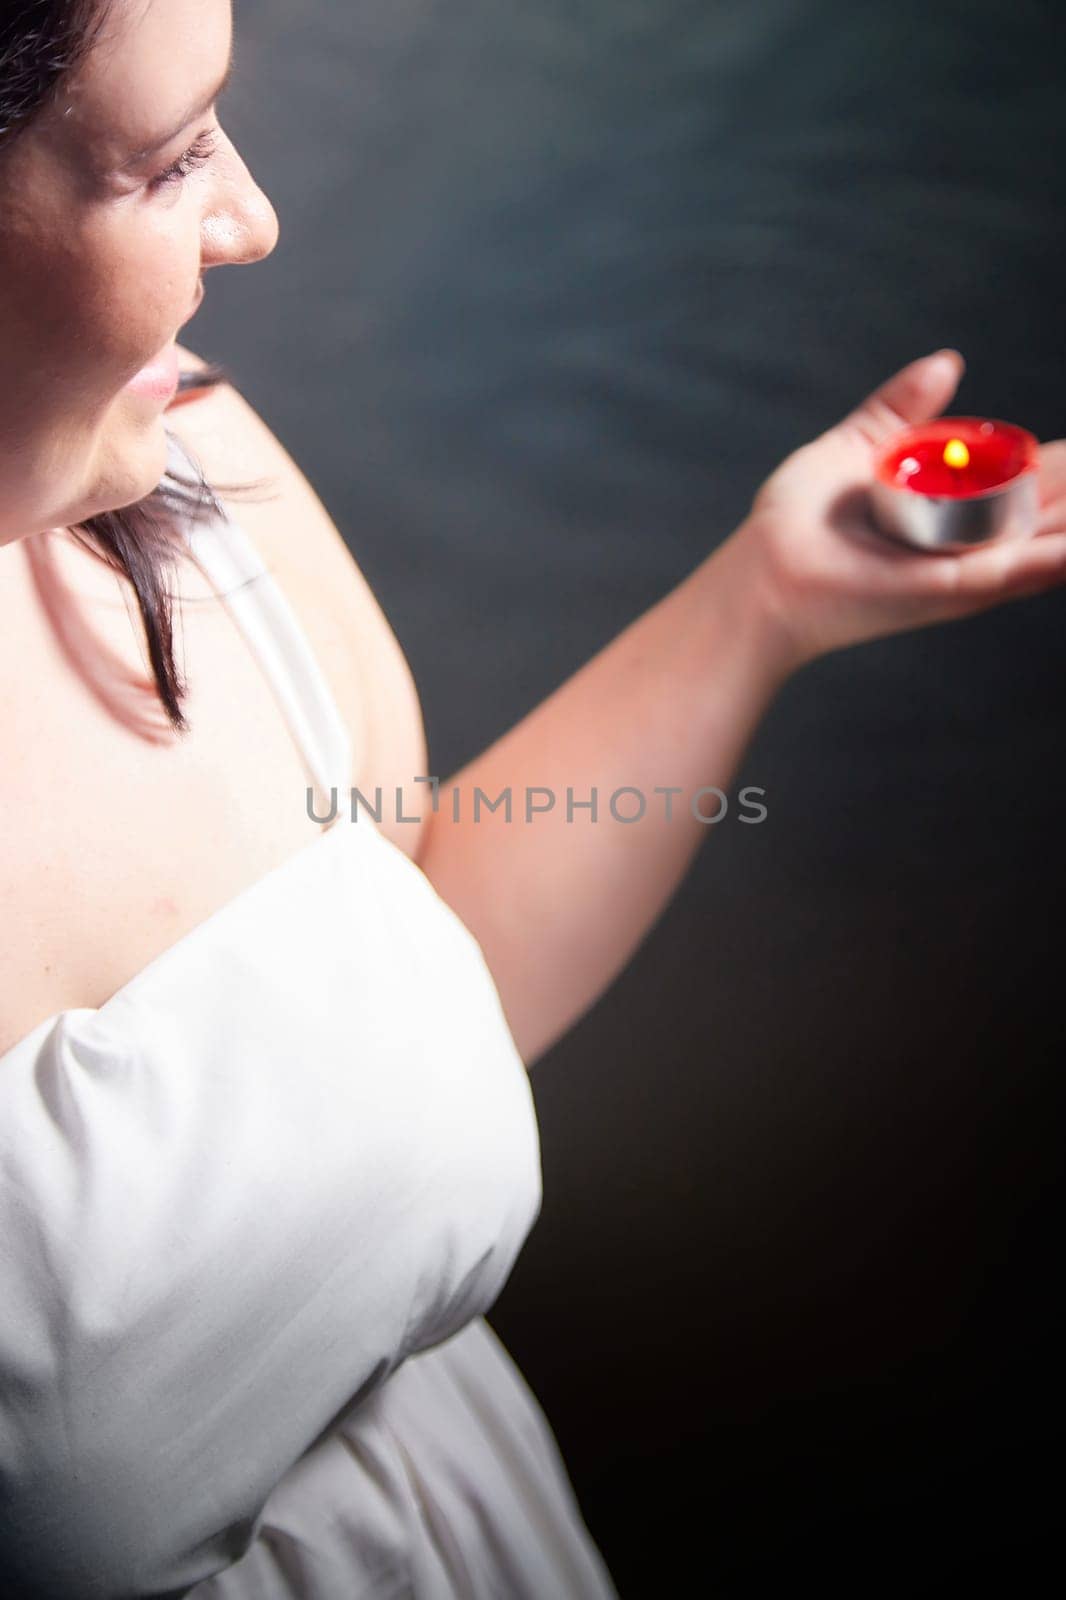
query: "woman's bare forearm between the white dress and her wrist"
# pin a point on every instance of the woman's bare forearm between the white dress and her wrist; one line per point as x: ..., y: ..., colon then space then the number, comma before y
x: 561, y: 903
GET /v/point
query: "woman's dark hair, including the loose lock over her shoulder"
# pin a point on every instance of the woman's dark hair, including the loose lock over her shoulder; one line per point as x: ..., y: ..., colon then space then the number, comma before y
x: 41, y: 44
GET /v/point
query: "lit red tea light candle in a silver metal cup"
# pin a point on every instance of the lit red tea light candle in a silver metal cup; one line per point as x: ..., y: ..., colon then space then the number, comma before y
x: 958, y: 482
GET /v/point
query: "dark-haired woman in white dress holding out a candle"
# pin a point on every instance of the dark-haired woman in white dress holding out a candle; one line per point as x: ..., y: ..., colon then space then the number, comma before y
x: 266, y: 1142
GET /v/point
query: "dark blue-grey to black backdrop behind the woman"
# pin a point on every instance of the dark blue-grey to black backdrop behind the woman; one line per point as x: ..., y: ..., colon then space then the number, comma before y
x: 558, y: 286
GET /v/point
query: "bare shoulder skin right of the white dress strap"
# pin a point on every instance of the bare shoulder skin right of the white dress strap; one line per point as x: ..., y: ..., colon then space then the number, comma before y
x: 321, y: 578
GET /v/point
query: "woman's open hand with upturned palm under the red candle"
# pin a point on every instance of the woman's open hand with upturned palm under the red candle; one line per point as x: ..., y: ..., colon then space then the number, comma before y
x: 827, y: 574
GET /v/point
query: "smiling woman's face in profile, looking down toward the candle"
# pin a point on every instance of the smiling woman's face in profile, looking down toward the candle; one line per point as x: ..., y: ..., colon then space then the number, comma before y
x: 103, y: 241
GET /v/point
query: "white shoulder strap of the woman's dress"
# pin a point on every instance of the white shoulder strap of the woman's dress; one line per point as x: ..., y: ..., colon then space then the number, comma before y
x: 275, y: 636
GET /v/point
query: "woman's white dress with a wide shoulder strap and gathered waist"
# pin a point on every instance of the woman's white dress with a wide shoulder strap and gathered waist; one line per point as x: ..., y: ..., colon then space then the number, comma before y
x: 252, y: 1214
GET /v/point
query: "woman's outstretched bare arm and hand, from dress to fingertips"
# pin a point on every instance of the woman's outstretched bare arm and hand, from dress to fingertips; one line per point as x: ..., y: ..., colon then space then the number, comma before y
x: 561, y: 905
